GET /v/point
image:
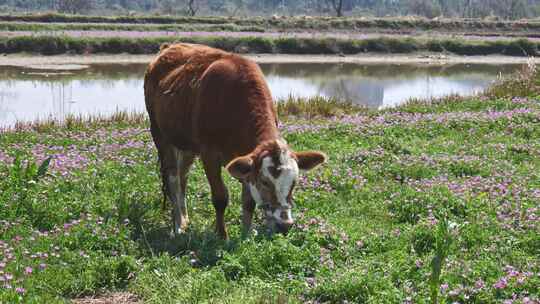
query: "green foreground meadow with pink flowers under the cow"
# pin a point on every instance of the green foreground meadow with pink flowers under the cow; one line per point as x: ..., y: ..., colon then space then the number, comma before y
x: 431, y: 199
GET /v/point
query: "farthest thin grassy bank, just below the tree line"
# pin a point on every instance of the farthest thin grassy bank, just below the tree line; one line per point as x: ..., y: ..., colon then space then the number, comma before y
x: 291, y: 23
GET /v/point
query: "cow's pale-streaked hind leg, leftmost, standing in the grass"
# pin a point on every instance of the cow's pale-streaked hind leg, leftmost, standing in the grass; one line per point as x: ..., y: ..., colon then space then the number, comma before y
x: 175, y: 168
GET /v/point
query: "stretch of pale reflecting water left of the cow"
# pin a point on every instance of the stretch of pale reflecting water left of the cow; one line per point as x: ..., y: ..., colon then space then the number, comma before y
x: 27, y: 95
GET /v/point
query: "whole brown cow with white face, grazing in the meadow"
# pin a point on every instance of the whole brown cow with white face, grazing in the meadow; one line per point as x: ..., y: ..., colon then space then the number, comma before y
x: 207, y: 102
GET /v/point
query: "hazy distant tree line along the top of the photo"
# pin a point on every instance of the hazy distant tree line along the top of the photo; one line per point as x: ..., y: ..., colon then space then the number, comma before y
x: 502, y: 9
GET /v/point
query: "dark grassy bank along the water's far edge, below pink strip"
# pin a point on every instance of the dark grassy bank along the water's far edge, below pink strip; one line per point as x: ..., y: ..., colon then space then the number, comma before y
x: 50, y: 45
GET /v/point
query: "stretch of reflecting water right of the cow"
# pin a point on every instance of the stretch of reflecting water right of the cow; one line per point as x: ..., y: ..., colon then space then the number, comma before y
x: 381, y: 85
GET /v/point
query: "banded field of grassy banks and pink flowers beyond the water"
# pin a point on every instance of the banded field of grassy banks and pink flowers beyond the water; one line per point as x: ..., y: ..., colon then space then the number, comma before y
x: 50, y: 34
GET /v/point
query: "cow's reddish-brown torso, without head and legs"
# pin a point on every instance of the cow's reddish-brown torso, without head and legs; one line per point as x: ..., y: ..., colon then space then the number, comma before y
x: 204, y: 98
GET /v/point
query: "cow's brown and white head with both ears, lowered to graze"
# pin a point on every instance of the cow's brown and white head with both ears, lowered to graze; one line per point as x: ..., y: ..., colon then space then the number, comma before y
x: 271, y: 172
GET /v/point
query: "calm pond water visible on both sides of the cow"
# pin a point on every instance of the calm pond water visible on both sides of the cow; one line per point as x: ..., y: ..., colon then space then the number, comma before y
x: 28, y: 94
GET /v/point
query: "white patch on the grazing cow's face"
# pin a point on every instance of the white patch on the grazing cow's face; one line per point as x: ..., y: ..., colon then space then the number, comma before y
x: 284, y: 182
